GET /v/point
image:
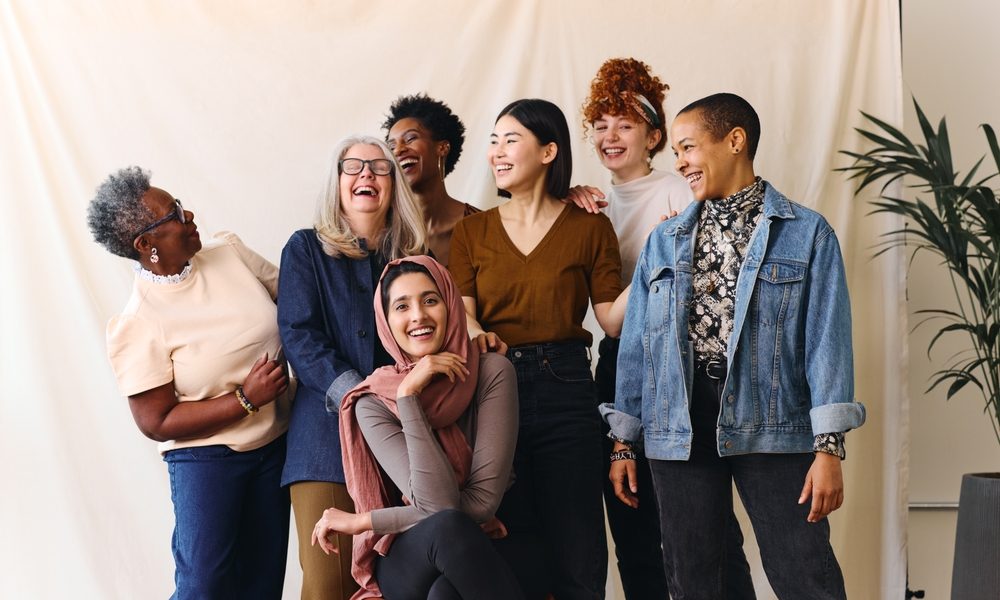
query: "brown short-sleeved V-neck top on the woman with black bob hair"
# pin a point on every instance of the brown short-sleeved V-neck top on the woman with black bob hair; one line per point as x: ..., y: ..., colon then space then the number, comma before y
x: 541, y: 297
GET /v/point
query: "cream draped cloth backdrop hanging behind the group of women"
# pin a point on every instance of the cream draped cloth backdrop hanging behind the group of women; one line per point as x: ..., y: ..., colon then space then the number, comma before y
x: 235, y: 108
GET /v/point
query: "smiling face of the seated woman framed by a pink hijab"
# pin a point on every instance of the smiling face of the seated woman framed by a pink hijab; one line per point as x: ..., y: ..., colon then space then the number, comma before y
x: 417, y: 315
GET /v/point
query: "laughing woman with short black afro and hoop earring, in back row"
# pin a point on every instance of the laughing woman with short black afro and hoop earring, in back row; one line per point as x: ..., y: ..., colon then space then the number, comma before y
x: 426, y: 138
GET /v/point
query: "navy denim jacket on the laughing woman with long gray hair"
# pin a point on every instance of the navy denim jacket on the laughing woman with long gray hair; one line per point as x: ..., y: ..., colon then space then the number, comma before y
x: 327, y: 326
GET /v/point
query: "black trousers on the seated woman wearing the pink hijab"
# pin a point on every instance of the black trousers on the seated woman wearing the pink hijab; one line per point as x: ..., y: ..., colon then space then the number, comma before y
x: 445, y: 557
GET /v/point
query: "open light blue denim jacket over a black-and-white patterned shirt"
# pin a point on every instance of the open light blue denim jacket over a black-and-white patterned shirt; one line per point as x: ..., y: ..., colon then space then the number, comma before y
x: 790, y: 363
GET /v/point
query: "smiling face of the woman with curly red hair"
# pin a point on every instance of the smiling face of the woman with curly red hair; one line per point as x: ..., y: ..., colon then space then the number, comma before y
x: 623, y: 145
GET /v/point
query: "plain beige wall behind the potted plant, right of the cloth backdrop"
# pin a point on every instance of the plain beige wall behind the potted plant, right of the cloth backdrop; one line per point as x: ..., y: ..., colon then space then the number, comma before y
x: 951, y: 55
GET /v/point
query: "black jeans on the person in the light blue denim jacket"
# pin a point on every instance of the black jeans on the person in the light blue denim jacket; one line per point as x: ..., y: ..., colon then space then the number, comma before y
x: 696, y: 498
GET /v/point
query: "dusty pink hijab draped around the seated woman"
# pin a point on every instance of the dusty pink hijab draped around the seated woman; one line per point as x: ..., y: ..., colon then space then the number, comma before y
x: 443, y: 402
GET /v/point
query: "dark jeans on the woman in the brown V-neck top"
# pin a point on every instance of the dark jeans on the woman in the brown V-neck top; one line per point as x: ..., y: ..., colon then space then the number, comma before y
x: 556, y: 494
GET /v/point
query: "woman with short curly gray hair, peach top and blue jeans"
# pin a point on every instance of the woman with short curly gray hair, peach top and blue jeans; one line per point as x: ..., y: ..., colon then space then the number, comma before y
x: 197, y: 352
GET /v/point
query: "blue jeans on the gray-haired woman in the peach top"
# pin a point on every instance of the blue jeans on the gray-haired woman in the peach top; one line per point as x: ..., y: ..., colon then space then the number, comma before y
x: 231, y: 521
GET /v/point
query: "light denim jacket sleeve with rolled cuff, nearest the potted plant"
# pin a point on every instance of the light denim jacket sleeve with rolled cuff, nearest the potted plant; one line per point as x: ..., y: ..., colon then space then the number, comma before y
x: 829, y: 351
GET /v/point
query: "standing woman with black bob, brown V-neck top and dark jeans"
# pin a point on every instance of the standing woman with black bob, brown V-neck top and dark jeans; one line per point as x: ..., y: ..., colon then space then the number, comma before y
x: 527, y: 270
